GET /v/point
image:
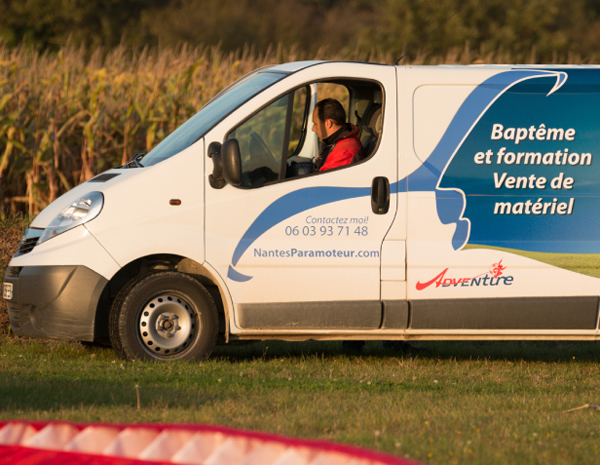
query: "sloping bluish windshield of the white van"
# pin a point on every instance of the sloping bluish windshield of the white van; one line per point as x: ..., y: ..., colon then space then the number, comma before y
x: 214, y: 111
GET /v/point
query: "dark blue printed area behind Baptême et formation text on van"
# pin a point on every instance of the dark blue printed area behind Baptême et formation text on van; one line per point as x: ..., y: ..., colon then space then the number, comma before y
x: 526, y: 168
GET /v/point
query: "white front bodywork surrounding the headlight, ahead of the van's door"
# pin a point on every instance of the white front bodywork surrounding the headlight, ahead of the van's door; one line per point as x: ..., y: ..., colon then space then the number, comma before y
x: 137, y: 219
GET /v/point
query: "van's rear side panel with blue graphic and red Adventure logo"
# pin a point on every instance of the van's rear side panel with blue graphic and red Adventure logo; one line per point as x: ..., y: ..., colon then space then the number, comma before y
x: 502, y: 192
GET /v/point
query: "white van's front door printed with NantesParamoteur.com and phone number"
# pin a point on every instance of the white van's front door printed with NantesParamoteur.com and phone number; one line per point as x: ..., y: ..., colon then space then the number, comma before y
x: 303, y: 252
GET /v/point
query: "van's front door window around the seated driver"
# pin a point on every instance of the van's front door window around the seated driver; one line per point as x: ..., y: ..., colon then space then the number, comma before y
x: 277, y: 142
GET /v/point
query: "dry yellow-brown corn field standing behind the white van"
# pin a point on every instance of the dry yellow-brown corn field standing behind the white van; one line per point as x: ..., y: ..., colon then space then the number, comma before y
x: 68, y: 116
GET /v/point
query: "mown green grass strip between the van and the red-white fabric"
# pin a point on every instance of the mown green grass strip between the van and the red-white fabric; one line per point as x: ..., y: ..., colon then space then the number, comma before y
x: 462, y: 402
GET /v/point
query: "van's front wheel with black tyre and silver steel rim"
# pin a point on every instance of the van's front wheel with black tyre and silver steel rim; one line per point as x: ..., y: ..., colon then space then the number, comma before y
x: 163, y: 316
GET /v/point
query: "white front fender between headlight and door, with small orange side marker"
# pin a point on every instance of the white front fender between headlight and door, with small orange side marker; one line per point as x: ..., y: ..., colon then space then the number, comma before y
x: 138, y: 220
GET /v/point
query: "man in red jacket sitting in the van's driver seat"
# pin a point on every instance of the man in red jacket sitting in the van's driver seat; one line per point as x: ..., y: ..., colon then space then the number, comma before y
x: 340, y: 143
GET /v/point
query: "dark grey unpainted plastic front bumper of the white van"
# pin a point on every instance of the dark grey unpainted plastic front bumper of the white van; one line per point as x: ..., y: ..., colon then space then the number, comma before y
x: 54, y: 302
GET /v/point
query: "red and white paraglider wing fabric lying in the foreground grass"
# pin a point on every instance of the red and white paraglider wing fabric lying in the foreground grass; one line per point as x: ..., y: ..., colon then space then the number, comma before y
x: 32, y: 443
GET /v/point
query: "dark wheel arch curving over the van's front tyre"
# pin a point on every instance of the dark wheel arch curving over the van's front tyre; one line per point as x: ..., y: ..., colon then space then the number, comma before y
x: 161, y: 262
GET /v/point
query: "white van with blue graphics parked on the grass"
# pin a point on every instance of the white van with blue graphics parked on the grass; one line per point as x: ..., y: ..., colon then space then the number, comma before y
x: 476, y: 215
